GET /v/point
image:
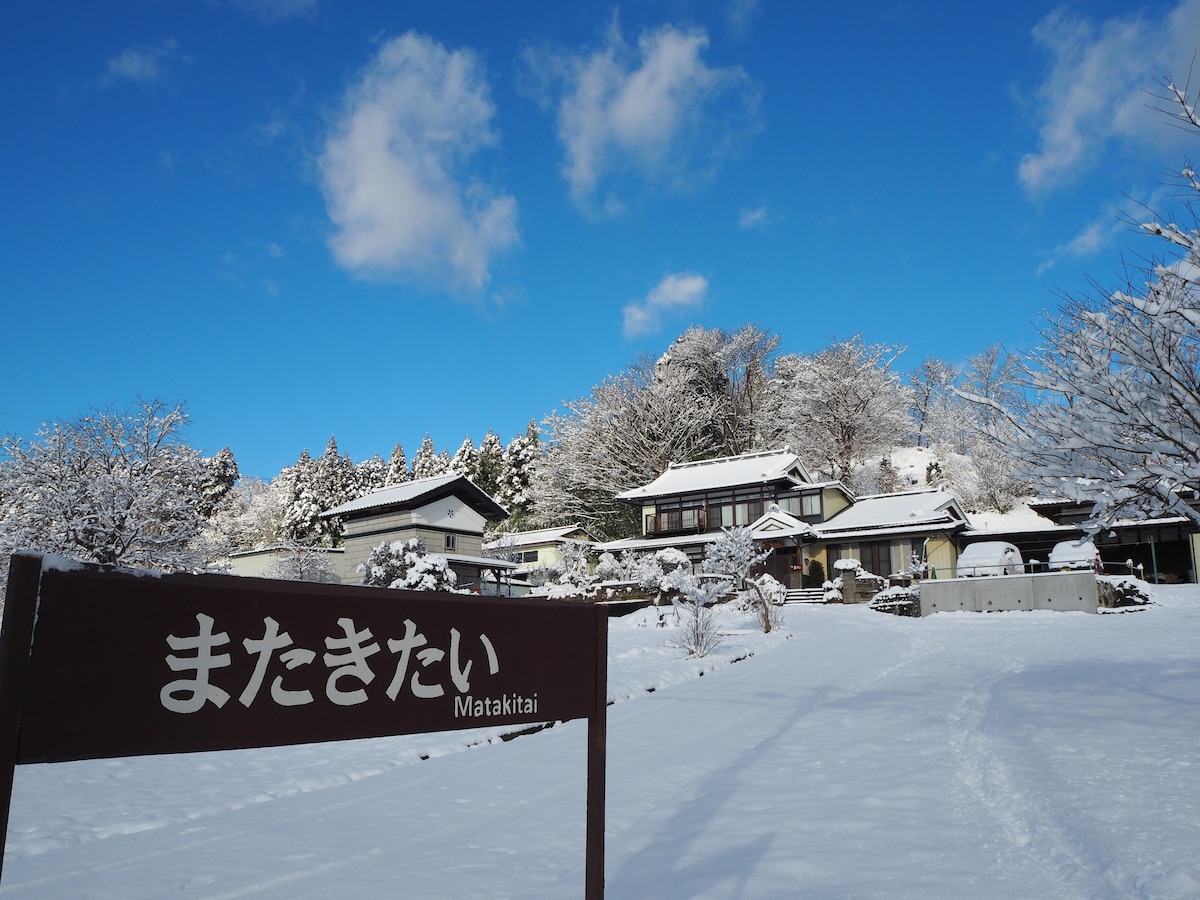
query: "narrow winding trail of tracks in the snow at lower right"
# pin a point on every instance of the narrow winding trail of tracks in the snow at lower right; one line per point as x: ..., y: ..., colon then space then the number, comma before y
x: 1033, y: 831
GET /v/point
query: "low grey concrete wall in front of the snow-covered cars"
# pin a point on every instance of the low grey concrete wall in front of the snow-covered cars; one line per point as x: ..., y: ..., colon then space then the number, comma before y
x: 1047, y: 591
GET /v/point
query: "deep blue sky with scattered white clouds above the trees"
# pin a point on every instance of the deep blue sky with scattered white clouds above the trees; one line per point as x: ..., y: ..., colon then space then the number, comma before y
x: 377, y: 220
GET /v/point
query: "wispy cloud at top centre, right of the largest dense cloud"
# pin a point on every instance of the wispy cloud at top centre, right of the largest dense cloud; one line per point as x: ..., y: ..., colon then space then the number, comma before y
x: 656, y: 112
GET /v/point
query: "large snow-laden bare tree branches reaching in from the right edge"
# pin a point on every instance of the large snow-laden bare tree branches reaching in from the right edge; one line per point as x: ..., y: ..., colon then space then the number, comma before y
x: 1115, y: 416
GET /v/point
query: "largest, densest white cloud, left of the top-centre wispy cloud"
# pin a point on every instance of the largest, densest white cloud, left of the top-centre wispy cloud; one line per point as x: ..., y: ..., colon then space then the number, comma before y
x: 393, y: 170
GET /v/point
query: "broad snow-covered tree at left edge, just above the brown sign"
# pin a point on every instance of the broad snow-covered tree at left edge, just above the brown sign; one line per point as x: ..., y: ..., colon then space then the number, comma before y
x: 116, y: 487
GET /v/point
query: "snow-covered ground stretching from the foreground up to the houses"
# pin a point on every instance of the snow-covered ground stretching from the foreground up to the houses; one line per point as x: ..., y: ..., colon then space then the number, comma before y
x: 855, y: 754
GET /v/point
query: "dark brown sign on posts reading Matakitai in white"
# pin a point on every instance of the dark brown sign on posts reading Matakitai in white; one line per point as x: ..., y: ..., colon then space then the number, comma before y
x: 99, y: 664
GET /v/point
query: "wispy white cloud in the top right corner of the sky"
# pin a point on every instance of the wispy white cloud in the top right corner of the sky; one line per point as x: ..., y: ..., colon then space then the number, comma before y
x: 1096, y: 89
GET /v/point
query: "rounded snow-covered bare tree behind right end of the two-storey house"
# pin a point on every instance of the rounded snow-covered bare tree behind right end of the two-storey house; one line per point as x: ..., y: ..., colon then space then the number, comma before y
x: 842, y: 406
